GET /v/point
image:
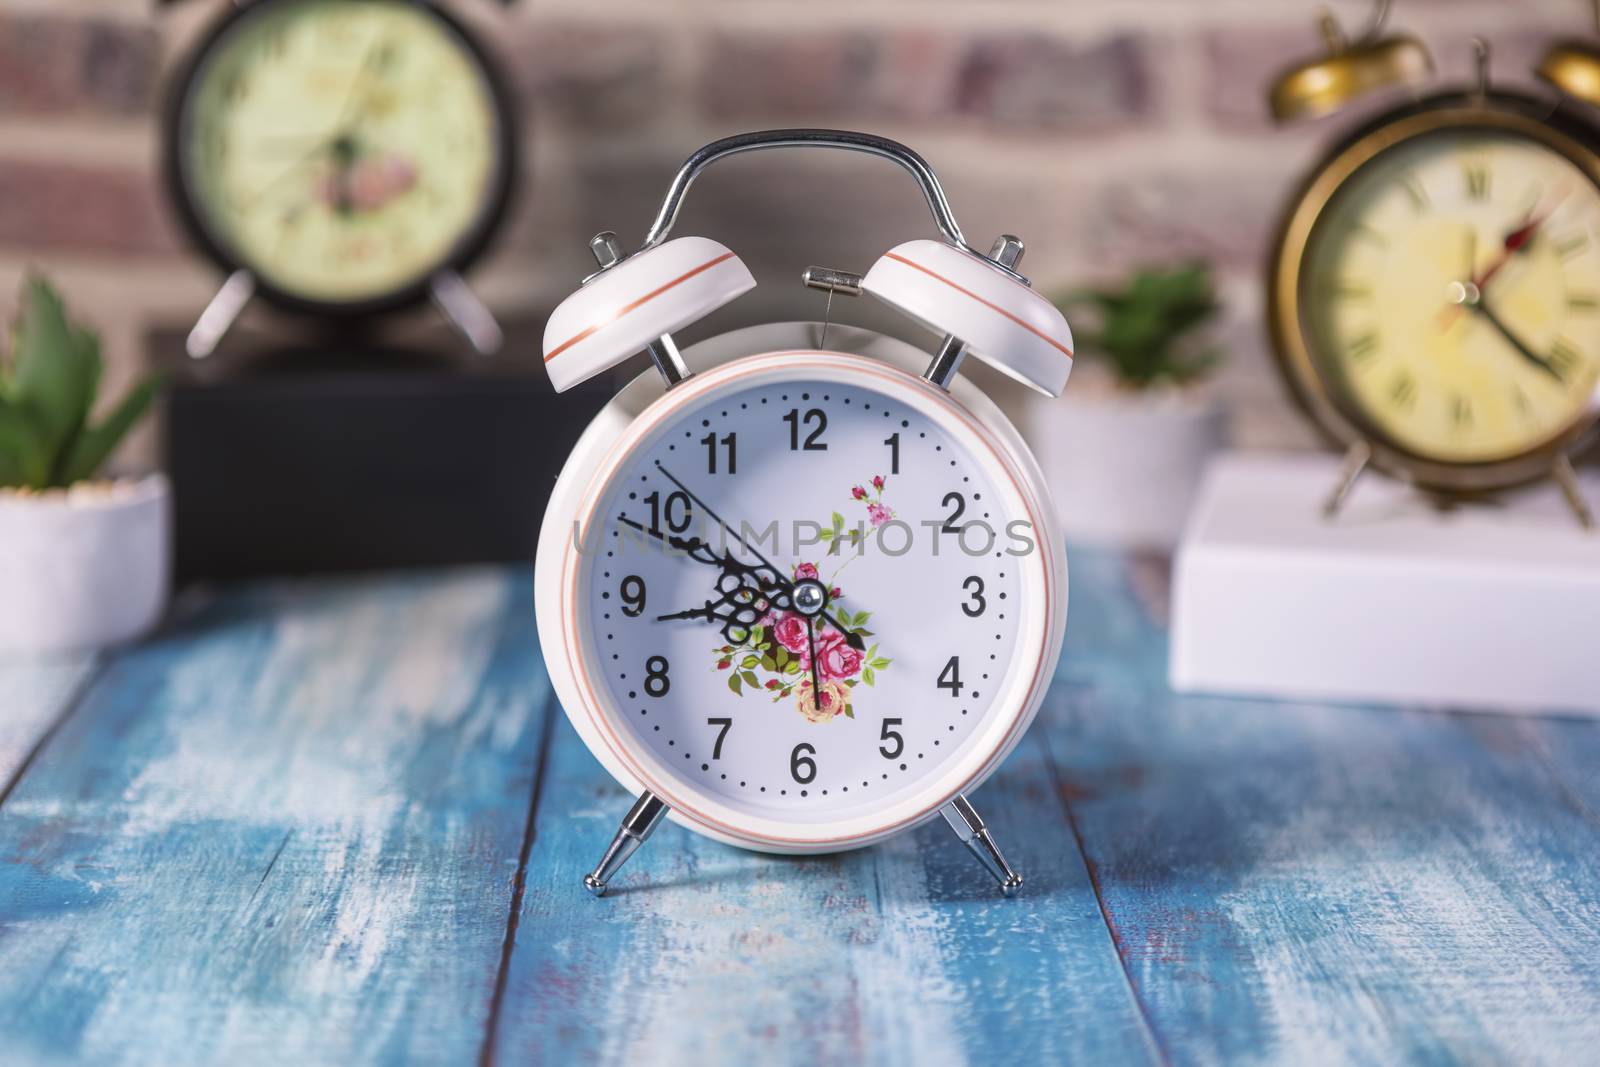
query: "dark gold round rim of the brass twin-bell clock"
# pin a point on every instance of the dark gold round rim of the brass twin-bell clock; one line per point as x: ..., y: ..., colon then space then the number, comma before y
x: 1335, y: 417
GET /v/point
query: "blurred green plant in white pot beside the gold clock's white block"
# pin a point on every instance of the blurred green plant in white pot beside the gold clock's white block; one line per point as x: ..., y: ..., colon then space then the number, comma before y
x: 1126, y: 447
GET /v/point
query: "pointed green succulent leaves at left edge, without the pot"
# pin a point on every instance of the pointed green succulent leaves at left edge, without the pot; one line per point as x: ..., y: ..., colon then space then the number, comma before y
x: 47, y: 391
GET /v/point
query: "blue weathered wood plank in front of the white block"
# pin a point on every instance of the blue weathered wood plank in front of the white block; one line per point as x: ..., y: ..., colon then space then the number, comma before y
x: 1297, y: 882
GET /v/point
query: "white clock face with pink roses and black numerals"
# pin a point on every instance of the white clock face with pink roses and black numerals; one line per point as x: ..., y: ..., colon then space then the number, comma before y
x: 929, y: 565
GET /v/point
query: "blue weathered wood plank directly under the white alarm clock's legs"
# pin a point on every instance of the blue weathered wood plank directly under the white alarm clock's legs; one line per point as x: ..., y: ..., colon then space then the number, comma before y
x: 903, y: 954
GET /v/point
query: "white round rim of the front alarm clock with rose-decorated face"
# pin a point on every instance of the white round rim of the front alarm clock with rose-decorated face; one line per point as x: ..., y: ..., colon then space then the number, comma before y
x: 596, y: 463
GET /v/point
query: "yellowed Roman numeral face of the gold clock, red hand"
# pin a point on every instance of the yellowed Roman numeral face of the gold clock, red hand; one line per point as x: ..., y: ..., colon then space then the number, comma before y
x: 1454, y: 294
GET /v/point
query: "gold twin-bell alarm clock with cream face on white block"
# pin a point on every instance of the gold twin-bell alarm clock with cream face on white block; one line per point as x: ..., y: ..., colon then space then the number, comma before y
x: 1434, y: 292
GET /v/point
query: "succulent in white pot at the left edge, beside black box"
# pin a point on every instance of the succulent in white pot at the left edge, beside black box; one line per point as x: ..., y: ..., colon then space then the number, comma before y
x: 84, y: 561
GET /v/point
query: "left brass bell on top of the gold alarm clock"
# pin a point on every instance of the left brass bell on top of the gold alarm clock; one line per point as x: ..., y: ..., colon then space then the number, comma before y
x: 1351, y: 70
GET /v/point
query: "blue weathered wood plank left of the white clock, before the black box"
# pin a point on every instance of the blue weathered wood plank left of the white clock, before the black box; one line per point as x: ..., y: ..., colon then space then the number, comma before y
x: 287, y: 833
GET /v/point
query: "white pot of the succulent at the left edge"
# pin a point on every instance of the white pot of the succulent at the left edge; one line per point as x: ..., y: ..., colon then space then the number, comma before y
x: 87, y: 567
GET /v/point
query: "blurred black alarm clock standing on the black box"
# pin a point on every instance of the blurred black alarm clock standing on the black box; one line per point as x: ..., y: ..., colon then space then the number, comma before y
x: 342, y: 159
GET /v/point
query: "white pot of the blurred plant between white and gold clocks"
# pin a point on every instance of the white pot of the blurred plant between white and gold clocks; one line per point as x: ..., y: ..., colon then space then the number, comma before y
x: 1124, y: 466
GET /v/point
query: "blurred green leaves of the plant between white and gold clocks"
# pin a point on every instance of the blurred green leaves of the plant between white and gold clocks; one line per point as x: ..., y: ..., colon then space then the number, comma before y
x: 1145, y: 329
